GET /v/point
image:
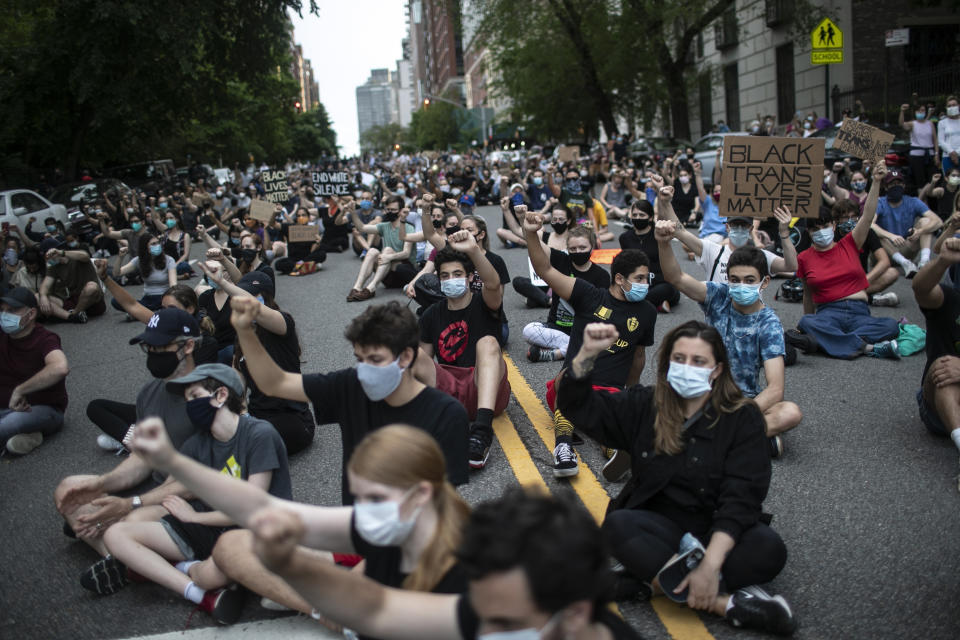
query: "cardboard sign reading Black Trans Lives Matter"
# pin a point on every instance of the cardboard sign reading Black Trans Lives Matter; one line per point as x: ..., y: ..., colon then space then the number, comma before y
x: 761, y: 173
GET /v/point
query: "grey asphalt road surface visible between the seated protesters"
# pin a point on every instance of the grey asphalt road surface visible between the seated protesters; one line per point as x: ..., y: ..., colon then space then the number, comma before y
x: 865, y: 499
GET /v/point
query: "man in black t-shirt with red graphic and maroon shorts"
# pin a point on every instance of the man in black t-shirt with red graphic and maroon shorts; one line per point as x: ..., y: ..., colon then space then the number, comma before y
x: 463, y: 332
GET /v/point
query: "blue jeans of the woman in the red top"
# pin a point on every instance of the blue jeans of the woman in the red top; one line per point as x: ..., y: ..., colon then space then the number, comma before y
x: 842, y: 328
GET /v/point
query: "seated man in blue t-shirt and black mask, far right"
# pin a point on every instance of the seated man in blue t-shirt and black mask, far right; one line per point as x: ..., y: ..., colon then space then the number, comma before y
x: 905, y: 225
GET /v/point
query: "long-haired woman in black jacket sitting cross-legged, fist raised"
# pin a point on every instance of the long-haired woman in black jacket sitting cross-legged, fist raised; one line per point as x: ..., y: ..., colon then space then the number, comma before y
x: 700, y: 467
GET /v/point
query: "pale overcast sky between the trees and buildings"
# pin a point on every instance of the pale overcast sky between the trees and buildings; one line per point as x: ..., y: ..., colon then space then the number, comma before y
x: 343, y: 43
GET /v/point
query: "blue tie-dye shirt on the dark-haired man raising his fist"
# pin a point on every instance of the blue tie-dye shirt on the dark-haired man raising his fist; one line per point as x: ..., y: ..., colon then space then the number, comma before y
x: 750, y: 339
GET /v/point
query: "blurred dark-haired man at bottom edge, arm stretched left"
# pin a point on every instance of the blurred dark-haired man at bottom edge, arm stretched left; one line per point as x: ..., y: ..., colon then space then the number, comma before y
x: 509, y: 555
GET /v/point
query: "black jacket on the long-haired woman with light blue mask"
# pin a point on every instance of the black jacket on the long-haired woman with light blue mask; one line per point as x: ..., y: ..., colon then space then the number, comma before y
x: 721, y: 477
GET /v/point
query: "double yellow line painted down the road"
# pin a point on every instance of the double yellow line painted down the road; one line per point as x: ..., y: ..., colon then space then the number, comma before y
x: 681, y: 623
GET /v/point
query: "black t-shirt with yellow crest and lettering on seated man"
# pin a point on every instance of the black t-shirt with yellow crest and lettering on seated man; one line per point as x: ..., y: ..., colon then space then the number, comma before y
x: 634, y: 320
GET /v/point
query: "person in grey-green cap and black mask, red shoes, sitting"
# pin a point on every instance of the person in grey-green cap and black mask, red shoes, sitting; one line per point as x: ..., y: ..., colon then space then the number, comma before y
x: 229, y: 444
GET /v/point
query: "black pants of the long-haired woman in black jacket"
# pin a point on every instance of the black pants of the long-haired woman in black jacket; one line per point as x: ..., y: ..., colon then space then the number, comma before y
x: 643, y: 541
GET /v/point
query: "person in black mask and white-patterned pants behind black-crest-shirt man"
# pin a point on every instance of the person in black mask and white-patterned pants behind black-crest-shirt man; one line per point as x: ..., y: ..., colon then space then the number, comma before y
x: 549, y: 341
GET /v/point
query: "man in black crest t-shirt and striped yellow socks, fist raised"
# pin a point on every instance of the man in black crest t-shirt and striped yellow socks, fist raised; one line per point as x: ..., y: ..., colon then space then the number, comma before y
x: 623, y: 304
